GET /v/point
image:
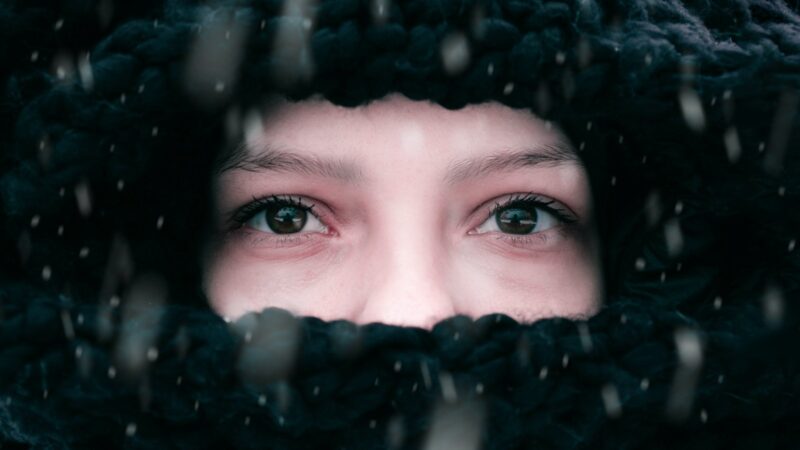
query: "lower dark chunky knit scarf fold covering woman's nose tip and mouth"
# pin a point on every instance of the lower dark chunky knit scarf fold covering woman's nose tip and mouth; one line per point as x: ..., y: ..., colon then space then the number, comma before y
x: 635, y: 375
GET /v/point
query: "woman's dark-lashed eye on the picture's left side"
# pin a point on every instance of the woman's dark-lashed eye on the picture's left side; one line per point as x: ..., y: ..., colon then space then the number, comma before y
x: 280, y: 218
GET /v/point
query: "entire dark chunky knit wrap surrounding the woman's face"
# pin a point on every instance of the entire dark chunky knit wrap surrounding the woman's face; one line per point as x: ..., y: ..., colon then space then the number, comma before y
x: 113, y: 115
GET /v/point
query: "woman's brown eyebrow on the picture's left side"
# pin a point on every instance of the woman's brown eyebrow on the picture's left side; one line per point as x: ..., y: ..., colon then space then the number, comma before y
x: 268, y: 158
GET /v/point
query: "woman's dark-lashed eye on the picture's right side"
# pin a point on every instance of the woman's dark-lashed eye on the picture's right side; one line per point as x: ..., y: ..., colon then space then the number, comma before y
x: 521, y: 218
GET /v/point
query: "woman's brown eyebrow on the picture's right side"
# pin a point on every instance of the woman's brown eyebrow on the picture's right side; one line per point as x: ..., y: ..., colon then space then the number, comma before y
x: 539, y: 155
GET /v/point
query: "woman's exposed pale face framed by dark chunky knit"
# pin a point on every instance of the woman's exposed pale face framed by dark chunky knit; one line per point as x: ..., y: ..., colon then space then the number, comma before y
x: 403, y: 212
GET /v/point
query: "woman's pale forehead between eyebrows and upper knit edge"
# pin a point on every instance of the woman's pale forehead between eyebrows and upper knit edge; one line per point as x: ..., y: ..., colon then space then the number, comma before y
x: 400, y: 124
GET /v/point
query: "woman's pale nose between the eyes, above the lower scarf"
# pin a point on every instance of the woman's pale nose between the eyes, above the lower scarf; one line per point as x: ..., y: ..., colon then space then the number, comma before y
x: 405, y: 276
